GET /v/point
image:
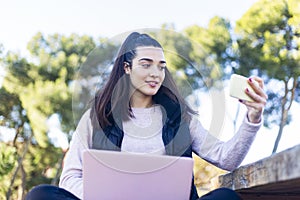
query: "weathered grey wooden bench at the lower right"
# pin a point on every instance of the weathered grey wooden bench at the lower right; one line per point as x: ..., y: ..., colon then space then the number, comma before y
x: 272, y: 178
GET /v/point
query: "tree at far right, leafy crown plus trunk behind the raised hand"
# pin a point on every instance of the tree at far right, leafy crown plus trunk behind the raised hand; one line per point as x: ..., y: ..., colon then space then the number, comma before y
x: 268, y: 43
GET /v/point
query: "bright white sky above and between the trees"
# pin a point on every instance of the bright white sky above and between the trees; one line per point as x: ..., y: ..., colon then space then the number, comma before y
x: 20, y: 20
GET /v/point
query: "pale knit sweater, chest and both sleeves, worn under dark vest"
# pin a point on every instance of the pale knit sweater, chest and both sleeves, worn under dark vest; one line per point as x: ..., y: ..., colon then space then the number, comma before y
x: 143, y: 134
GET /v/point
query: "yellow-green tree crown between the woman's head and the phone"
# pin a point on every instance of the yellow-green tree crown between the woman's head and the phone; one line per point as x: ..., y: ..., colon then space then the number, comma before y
x: 212, y: 50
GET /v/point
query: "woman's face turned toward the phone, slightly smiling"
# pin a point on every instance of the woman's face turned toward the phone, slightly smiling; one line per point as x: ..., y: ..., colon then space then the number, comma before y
x: 148, y: 71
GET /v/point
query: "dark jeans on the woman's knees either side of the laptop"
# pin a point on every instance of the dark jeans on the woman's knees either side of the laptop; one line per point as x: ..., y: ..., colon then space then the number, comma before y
x: 50, y: 192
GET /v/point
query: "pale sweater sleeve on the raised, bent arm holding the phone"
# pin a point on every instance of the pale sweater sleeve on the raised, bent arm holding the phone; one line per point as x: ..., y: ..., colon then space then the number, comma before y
x: 227, y: 155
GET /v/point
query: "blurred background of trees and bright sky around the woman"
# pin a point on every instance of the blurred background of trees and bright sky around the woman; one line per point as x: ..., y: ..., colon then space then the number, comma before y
x: 51, y: 53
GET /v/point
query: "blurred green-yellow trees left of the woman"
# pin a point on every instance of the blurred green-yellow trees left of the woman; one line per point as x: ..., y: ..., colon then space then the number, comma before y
x: 34, y: 90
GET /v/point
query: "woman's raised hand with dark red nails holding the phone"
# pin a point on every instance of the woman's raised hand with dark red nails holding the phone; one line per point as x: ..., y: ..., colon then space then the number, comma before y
x: 255, y: 108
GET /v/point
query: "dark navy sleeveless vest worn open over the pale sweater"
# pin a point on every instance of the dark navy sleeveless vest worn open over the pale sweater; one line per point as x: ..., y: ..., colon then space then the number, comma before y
x: 175, y: 133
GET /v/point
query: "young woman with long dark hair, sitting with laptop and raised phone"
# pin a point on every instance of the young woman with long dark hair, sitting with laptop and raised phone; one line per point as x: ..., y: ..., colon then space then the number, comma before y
x: 140, y: 110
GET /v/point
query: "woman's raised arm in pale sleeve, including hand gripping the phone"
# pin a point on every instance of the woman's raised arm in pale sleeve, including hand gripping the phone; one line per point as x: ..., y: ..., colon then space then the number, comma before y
x: 229, y: 155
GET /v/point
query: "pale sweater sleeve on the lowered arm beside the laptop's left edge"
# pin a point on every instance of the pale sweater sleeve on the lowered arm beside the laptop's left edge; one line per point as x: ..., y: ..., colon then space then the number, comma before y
x: 71, y: 177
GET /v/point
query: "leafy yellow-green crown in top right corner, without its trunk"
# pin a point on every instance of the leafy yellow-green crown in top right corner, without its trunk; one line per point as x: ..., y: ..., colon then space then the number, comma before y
x: 269, y: 39
